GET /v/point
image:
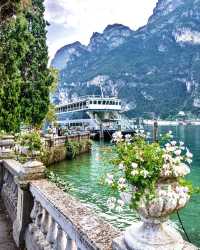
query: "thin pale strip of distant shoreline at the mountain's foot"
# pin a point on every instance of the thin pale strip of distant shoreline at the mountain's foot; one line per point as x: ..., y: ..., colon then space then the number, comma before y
x: 172, y: 123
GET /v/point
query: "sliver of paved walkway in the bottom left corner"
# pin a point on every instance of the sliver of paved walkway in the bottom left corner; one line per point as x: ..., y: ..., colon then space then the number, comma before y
x: 6, y: 241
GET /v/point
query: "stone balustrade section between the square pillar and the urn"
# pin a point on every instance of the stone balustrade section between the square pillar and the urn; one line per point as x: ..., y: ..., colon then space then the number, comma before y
x: 61, y: 222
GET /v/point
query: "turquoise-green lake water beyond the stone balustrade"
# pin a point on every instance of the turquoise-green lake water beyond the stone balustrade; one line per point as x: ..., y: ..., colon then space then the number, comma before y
x: 85, y: 173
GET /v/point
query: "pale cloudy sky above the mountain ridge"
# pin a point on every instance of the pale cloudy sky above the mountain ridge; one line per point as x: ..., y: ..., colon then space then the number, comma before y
x: 76, y: 20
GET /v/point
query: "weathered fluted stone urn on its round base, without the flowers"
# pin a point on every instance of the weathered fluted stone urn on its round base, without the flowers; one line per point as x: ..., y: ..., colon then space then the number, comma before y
x: 153, y: 232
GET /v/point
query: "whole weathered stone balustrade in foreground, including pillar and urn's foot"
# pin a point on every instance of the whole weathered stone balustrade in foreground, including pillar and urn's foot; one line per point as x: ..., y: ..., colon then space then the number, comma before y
x: 46, y: 218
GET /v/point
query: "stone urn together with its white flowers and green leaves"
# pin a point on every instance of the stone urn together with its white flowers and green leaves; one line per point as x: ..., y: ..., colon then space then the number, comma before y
x: 149, y: 176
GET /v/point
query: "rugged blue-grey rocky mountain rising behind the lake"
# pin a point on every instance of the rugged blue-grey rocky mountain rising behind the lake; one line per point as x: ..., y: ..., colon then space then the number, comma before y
x: 155, y: 69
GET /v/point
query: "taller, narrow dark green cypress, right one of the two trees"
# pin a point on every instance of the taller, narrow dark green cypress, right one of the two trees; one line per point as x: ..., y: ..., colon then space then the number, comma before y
x: 37, y: 77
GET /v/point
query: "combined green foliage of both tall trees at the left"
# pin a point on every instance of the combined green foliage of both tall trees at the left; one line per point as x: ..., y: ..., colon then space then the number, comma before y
x: 25, y: 78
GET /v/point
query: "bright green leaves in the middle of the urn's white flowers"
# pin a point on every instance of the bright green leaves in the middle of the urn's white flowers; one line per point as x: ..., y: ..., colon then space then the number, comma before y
x: 148, y: 158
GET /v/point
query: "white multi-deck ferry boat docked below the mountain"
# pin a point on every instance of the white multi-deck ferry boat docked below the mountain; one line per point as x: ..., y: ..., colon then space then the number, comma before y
x: 90, y: 112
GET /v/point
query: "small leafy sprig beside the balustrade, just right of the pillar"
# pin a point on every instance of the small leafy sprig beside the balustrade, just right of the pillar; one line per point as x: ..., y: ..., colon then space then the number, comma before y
x: 61, y: 183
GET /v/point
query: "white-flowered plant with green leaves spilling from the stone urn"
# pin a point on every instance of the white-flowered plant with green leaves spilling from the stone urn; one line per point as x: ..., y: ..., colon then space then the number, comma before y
x: 140, y: 165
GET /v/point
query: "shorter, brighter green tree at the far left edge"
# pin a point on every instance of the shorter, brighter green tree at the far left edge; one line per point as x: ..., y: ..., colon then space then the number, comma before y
x: 15, y: 39
